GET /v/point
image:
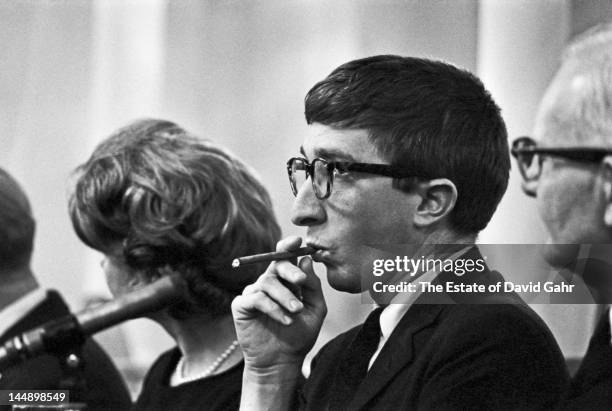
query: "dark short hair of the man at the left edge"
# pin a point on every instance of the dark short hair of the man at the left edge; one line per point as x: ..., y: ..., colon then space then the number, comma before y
x: 17, y: 225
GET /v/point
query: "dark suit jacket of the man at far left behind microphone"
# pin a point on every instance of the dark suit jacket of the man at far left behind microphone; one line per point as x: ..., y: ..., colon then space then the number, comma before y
x: 104, y: 387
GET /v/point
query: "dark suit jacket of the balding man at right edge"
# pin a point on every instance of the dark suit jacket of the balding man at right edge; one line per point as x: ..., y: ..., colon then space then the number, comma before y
x: 591, y: 387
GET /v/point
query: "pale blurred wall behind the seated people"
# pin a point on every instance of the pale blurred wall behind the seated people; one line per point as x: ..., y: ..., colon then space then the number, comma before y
x: 237, y: 72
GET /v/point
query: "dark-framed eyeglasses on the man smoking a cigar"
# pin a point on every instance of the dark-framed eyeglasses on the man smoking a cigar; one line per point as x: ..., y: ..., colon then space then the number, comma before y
x: 321, y: 173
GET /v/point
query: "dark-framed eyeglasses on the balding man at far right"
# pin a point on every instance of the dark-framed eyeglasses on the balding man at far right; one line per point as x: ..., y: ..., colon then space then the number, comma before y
x: 529, y: 156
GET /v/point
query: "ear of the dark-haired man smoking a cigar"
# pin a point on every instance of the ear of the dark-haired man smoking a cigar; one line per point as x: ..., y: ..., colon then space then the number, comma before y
x: 438, y: 198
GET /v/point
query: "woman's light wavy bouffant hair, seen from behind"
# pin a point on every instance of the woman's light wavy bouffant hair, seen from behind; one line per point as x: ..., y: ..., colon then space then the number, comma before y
x: 170, y: 202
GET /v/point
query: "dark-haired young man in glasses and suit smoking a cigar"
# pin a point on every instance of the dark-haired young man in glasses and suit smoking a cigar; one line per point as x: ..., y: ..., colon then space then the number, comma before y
x: 401, y: 153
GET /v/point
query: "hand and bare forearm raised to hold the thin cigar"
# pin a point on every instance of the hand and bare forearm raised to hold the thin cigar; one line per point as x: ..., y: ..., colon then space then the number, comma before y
x: 277, y: 320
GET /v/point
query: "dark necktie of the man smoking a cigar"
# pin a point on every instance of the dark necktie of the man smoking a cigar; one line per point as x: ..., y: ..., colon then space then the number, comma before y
x: 353, y: 364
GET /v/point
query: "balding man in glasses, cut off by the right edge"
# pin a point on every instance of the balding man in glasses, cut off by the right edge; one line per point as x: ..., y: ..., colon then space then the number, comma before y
x: 568, y: 168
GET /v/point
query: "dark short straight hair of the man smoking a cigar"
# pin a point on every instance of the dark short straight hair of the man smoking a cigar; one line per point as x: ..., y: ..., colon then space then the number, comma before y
x: 426, y: 114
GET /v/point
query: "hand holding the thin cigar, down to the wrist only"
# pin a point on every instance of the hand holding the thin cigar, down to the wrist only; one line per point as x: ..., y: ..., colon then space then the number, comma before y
x: 278, y: 318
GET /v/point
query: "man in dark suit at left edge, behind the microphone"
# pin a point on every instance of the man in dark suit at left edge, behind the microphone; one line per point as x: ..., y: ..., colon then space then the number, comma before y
x: 24, y: 305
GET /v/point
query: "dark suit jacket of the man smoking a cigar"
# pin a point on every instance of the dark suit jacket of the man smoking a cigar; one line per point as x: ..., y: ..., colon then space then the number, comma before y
x: 489, y: 352
